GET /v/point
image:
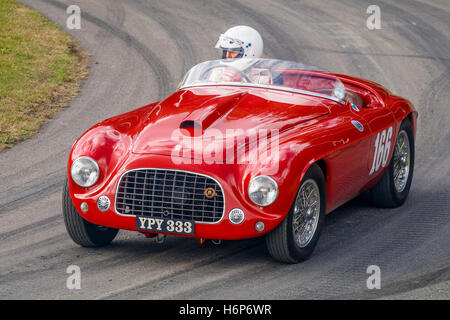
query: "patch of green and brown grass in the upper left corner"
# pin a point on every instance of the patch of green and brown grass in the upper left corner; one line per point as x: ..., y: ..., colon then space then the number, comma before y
x: 40, y: 70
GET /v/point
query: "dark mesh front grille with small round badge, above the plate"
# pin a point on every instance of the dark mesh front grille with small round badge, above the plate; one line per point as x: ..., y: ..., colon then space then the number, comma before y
x: 169, y: 194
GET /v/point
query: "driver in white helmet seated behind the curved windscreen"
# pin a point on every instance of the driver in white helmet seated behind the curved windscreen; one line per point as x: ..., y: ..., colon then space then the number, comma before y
x: 240, y: 46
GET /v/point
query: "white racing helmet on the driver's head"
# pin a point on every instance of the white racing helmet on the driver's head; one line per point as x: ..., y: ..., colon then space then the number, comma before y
x: 245, y: 40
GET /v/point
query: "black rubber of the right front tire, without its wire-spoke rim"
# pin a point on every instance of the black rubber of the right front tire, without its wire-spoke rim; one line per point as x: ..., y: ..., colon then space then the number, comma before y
x: 281, y: 242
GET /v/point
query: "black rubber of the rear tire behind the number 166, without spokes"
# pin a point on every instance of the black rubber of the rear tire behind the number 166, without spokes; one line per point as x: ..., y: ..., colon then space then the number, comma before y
x: 384, y: 194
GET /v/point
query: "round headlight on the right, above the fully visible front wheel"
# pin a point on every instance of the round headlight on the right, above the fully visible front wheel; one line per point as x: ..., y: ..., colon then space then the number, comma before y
x: 263, y: 190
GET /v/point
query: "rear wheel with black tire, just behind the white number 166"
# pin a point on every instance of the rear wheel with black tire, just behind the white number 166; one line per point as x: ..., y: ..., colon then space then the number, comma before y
x: 388, y: 192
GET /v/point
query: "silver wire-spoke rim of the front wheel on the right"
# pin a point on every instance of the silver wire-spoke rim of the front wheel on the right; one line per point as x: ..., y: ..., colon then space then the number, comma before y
x: 306, y: 213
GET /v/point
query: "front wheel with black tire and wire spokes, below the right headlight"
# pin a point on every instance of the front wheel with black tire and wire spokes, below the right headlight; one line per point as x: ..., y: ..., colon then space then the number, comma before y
x: 283, y: 243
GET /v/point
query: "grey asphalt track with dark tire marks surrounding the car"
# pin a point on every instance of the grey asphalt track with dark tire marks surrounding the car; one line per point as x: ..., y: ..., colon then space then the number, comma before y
x: 140, y: 50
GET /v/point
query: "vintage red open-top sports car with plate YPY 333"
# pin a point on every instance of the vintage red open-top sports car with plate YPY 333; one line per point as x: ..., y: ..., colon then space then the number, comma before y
x: 243, y: 148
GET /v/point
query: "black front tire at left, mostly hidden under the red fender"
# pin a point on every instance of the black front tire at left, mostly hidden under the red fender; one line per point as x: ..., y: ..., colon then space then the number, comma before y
x: 81, y: 231
